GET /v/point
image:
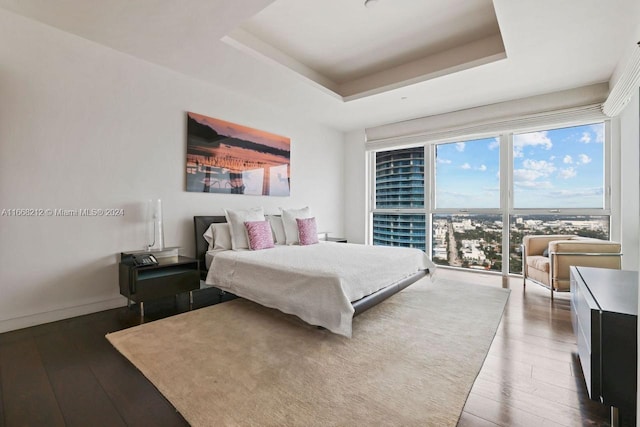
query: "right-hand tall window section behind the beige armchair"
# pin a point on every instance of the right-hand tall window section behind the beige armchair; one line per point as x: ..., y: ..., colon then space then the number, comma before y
x: 560, y: 185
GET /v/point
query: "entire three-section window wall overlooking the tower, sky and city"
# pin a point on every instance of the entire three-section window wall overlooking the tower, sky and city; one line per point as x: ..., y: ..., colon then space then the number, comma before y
x: 470, y: 201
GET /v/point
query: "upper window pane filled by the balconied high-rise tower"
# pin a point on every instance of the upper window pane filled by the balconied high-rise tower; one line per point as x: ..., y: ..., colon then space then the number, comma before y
x: 400, y: 178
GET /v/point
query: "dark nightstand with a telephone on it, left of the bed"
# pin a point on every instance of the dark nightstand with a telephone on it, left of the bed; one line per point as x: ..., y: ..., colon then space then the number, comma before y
x: 171, y: 276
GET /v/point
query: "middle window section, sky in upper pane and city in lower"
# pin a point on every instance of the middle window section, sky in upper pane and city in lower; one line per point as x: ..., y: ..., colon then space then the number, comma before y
x: 466, y: 204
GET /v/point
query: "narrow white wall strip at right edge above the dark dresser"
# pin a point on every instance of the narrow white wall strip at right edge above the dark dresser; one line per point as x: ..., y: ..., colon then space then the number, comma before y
x: 630, y: 198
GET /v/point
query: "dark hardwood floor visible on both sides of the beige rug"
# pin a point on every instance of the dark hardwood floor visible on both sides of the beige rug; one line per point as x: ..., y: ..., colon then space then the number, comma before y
x: 67, y: 373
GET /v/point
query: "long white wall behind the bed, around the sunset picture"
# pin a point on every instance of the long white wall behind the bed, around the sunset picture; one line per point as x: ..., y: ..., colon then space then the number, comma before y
x: 84, y: 126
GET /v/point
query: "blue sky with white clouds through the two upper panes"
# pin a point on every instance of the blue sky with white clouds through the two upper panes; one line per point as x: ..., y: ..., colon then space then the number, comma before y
x: 560, y: 168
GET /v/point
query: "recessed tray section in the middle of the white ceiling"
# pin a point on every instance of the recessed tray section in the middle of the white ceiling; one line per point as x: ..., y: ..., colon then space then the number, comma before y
x: 353, y: 51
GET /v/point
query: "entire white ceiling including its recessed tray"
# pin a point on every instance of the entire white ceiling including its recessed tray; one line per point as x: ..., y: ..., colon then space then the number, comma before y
x: 550, y: 46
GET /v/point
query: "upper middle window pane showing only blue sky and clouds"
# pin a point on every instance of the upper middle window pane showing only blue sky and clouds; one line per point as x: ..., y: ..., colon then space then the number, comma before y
x: 468, y: 174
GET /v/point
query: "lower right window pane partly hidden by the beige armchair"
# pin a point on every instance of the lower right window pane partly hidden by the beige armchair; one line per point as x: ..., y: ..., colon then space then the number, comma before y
x: 523, y: 225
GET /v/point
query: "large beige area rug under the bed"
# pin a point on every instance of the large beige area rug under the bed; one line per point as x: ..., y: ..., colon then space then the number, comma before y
x: 411, y: 362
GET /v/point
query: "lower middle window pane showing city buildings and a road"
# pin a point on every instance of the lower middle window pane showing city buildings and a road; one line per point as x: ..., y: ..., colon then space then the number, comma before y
x: 468, y: 241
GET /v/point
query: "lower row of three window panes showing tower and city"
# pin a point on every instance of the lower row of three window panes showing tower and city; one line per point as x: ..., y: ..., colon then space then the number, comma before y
x: 474, y: 241
